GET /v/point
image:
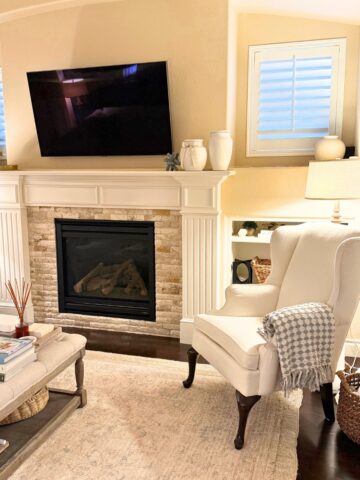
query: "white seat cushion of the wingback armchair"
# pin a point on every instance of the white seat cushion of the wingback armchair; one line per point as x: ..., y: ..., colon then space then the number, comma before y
x: 237, y: 336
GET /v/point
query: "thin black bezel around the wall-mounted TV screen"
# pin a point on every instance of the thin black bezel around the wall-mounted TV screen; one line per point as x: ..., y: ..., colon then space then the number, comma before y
x: 108, y: 154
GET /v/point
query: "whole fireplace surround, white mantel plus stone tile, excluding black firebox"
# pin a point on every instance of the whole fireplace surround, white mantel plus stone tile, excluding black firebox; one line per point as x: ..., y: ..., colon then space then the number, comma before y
x: 186, y: 209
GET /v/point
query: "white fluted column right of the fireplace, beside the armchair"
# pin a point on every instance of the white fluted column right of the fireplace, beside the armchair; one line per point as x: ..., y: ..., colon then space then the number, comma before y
x: 201, y: 245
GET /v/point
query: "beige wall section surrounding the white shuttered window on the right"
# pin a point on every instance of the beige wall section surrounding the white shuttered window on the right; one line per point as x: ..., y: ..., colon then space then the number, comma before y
x: 263, y: 29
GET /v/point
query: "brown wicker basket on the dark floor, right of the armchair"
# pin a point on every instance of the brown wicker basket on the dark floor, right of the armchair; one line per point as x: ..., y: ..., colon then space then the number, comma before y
x: 348, y: 411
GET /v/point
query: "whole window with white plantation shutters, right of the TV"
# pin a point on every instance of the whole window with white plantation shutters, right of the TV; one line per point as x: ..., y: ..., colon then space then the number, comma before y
x: 295, y: 96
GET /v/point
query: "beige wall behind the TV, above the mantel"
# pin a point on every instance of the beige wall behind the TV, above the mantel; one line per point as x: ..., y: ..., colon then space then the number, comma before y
x: 190, y: 34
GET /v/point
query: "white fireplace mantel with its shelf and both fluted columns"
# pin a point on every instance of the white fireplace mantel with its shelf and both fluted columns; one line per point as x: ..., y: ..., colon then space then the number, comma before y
x: 197, y: 195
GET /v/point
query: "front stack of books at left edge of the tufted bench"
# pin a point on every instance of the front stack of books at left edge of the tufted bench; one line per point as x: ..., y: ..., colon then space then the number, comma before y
x: 15, y: 354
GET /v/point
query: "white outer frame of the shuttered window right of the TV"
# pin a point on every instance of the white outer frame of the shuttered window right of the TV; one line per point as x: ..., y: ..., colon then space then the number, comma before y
x: 252, y: 149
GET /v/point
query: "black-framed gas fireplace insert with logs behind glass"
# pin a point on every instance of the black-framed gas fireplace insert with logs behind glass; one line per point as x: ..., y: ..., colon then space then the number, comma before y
x: 106, y: 268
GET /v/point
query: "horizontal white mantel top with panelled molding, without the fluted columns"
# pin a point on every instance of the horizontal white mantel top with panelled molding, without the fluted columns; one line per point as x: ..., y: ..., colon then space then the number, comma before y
x: 193, y: 192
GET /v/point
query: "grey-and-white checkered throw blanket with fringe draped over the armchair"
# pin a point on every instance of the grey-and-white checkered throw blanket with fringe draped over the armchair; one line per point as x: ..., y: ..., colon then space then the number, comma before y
x: 305, y: 340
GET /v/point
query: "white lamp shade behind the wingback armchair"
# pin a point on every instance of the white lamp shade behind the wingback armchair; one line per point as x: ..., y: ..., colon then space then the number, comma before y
x: 333, y: 180
